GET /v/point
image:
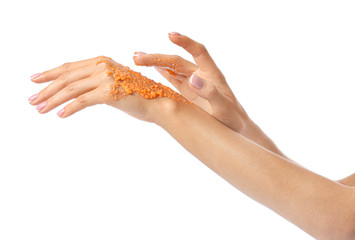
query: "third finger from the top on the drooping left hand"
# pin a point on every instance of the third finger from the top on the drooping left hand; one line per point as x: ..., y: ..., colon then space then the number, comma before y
x: 71, y: 91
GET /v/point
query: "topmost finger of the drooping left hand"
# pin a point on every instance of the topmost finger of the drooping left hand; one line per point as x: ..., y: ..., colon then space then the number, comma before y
x: 52, y: 74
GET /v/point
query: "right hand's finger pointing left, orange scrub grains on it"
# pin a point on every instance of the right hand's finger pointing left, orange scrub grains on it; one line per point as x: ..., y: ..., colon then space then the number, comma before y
x: 173, y: 62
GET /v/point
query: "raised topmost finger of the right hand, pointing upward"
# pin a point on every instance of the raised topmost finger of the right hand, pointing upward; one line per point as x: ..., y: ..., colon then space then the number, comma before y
x: 199, y: 52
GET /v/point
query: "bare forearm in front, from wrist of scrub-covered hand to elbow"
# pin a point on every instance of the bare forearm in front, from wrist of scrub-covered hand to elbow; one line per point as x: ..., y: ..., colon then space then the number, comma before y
x: 317, y: 205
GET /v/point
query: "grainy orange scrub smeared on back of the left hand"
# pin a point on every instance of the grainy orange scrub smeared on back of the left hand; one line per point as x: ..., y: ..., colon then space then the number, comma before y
x: 127, y: 81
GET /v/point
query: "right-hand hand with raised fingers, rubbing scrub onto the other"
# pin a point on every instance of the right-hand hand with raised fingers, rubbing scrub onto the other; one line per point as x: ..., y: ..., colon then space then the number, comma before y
x: 201, y: 83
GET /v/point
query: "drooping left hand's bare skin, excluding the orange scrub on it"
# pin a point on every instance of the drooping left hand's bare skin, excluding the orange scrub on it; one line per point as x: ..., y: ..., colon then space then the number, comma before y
x: 87, y: 82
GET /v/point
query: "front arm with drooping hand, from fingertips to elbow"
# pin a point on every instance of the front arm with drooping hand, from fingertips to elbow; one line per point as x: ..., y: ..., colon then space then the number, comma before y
x: 321, y: 207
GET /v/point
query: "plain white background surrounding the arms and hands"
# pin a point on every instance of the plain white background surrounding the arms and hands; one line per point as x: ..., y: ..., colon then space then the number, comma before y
x: 101, y: 174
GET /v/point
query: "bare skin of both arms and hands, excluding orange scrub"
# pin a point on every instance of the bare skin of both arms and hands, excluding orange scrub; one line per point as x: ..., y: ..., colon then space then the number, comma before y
x: 237, y: 149
